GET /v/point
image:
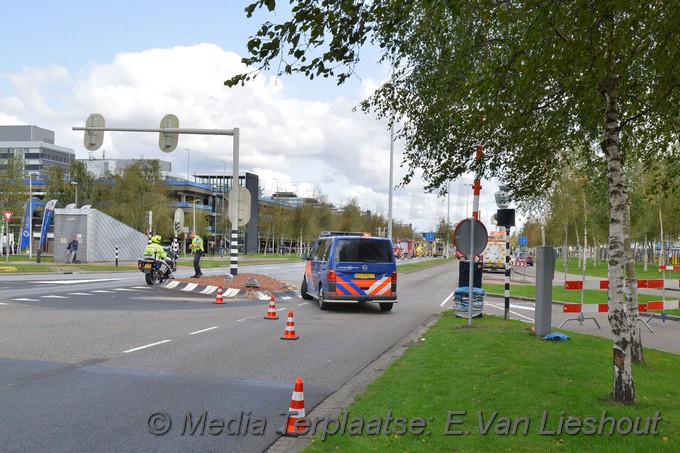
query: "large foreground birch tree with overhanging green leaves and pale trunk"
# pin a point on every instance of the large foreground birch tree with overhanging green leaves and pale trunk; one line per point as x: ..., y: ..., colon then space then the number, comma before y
x: 535, y: 84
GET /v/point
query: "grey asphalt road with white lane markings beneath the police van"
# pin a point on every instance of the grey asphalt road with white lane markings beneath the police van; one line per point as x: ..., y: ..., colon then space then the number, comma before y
x: 98, y: 362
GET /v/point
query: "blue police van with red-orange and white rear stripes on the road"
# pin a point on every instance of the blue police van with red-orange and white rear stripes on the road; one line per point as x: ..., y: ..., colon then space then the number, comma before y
x: 350, y: 267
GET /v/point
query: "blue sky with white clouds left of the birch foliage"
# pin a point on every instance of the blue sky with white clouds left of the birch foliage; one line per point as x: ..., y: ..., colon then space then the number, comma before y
x: 134, y: 62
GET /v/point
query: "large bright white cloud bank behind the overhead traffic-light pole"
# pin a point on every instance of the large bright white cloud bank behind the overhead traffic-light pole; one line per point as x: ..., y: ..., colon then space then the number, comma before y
x: 308, y: 146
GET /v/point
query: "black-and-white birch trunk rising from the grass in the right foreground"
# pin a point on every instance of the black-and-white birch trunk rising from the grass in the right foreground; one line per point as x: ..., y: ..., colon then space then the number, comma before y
x: 623, y: 390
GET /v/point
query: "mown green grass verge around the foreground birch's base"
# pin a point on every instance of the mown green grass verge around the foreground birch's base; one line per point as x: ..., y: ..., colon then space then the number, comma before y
x: 496, y: 387
